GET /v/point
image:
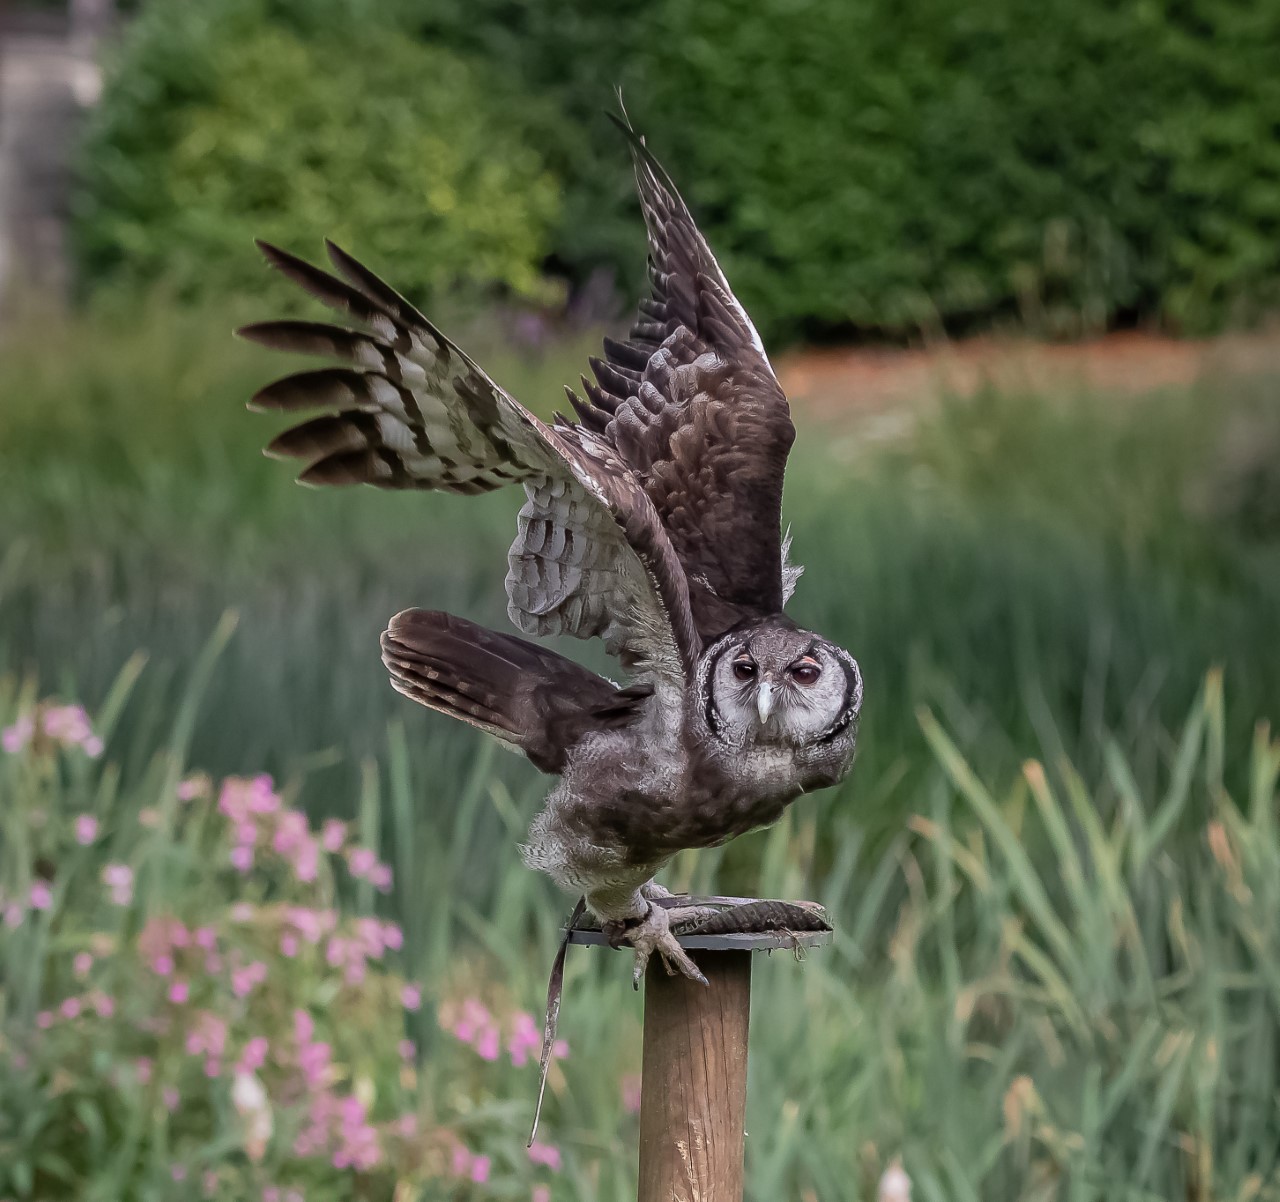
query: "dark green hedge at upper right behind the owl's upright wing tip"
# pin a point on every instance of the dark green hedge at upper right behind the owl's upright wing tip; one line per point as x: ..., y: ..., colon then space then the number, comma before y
x: 932, y: 166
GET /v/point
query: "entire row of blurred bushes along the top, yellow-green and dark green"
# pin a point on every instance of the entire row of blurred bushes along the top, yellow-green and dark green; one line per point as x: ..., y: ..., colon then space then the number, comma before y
x: 858, y: 167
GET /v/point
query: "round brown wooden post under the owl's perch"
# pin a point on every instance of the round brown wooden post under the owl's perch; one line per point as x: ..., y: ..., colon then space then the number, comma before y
x: 693, y: 1103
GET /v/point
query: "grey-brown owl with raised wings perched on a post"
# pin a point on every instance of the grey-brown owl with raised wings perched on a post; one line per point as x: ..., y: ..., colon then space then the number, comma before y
x: 652, y: 520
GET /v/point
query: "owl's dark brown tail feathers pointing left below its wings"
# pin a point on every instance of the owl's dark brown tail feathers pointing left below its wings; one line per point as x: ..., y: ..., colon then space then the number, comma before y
x: 523, y: 694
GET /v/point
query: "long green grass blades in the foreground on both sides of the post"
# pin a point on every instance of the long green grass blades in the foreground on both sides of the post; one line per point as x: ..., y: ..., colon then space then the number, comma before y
x: 1053, y: 984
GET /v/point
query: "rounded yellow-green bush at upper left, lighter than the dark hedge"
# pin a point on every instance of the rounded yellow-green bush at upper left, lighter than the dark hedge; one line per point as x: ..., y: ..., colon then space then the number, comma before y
x: 228, y: 122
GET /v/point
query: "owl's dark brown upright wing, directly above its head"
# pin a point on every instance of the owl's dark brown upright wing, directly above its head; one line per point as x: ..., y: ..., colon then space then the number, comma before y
x: 693, y: 408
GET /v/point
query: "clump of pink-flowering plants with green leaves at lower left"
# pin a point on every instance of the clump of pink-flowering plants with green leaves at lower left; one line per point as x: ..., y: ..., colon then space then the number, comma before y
x: 196, y: 999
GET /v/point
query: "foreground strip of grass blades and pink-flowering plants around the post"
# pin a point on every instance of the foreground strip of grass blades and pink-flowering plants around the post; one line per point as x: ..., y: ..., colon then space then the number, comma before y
x: 1057, y: 981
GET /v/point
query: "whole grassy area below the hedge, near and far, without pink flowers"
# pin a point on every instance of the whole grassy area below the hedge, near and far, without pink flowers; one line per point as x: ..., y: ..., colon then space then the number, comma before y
x: 1055, y: 972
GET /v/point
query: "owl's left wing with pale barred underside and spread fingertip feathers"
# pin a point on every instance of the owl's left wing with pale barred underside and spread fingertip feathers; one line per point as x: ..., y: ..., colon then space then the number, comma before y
x: 412, y: 410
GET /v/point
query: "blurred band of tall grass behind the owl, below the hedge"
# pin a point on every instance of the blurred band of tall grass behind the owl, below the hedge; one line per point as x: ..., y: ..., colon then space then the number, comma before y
x: 1012, y: 561
